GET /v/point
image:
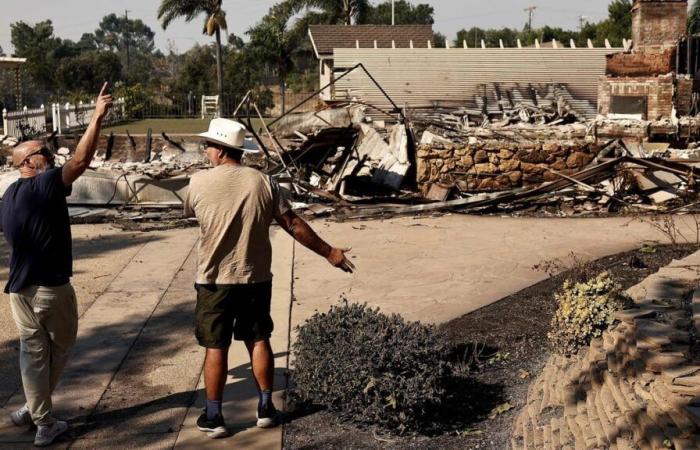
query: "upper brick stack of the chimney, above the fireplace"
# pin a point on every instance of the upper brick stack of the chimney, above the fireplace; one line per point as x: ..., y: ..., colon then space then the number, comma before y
x: 657, y: 25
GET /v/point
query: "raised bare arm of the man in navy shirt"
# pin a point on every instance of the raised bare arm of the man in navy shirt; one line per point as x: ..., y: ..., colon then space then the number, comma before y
x: 85, y: 150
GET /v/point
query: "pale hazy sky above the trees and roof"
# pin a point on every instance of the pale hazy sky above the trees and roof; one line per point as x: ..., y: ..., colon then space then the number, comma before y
x: 71, y: 18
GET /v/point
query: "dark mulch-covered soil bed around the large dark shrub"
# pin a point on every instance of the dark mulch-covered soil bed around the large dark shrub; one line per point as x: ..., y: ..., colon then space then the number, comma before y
x: 503, y: 347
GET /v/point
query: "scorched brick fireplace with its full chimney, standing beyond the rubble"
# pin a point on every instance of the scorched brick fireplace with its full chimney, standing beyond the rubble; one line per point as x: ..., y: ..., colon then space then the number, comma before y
x: 654, y: 79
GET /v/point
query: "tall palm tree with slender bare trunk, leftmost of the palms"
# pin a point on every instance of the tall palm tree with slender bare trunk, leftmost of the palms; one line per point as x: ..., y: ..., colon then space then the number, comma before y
x: 215, y: 21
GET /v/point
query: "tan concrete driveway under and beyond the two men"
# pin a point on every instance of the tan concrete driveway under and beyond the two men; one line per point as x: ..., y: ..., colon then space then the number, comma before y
x: 135, y: 377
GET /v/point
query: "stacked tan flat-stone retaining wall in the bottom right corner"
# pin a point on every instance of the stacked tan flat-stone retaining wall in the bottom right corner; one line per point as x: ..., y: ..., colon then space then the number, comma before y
x: 637, y: 387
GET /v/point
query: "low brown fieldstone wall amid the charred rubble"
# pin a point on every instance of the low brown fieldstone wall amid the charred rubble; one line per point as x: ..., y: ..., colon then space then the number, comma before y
x: 492, y: 165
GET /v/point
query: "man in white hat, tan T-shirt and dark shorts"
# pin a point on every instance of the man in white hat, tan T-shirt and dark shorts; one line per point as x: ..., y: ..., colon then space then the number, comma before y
x: 235, y: 206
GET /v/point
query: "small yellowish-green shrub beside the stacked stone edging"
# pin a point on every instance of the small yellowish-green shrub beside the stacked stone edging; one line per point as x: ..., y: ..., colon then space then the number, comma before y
x: 586, y: 309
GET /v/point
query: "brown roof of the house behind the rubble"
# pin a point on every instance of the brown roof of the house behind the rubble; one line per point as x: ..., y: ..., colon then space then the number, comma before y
x: 325, y: 38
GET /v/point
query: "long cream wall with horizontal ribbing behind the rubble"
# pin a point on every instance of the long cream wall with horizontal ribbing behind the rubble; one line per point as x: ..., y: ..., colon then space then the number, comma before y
x: 452, y: 76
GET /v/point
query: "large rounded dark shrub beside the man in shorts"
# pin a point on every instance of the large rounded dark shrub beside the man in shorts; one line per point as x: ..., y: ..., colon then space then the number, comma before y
x: 371, y: 368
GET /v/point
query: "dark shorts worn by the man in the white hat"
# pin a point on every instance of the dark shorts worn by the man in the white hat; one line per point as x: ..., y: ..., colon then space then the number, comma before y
x: 238, y: 310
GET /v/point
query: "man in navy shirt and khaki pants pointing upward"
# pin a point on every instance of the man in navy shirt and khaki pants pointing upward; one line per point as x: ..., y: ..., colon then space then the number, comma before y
x: 34, y: 219
